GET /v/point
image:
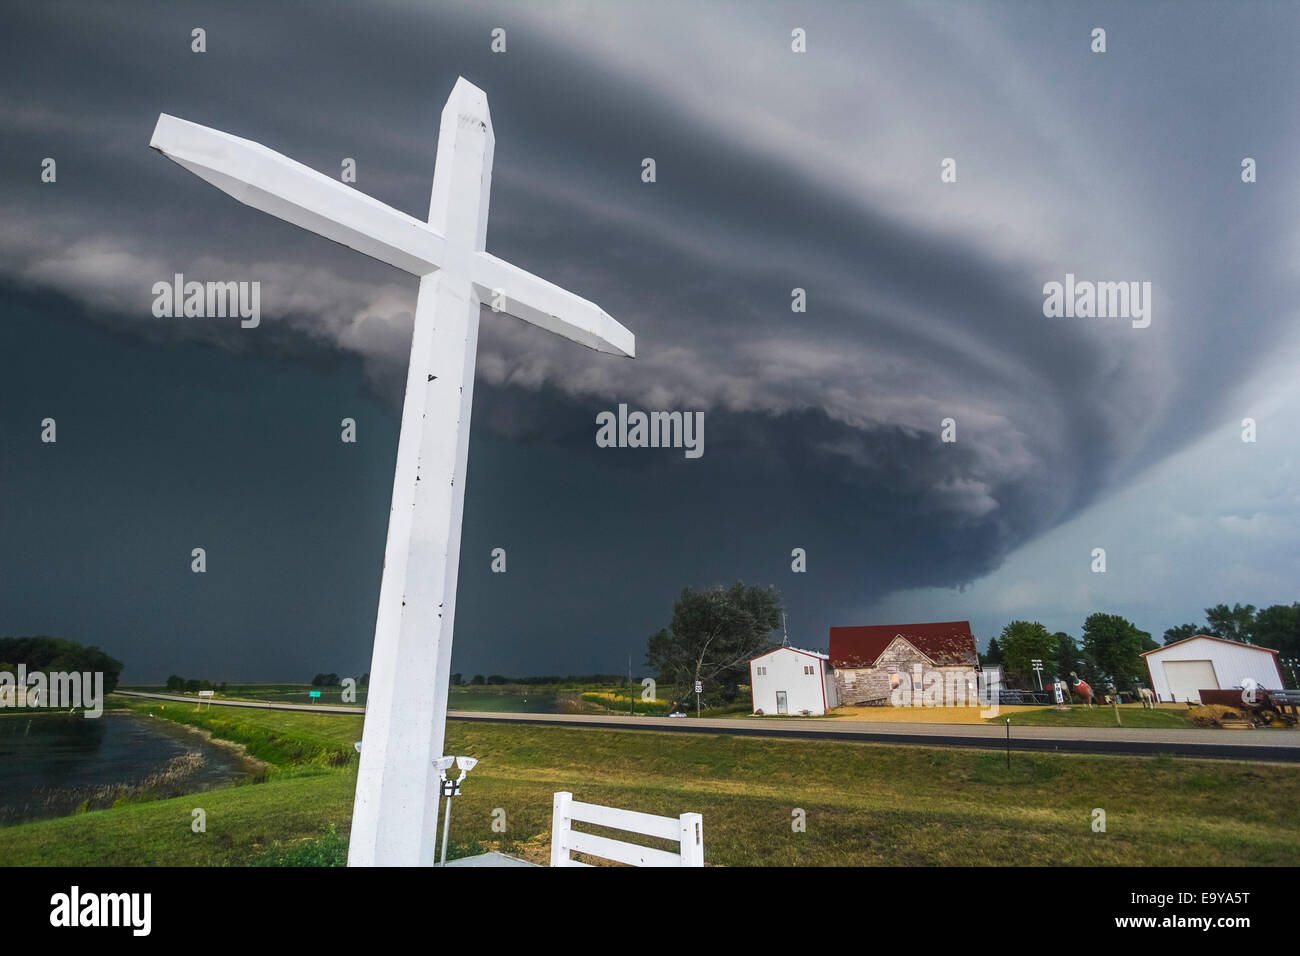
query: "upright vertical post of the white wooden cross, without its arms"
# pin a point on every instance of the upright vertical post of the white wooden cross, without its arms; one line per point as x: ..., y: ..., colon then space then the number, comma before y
x: 406, y: 708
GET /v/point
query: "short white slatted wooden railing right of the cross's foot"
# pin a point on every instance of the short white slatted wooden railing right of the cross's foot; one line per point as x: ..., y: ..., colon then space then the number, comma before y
x: 687, y: 832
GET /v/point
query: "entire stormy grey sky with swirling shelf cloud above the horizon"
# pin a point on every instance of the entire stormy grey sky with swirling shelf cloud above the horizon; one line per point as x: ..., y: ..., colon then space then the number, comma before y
x: 775, y: 170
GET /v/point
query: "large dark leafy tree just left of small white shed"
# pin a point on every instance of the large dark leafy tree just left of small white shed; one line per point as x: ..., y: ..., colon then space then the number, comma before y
x: 713, y: 637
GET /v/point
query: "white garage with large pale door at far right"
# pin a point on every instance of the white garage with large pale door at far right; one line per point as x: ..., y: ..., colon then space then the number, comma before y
x: 1181, y: 671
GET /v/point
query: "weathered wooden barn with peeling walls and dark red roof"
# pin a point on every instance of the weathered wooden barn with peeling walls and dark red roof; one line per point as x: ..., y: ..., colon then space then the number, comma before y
x: 872, y: 661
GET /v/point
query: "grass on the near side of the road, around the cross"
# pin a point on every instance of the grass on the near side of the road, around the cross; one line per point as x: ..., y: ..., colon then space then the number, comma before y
x: 865, y: 804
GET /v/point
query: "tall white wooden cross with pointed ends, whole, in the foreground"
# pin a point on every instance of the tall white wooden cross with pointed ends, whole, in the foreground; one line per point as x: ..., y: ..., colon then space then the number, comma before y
x: 397, y: 788
